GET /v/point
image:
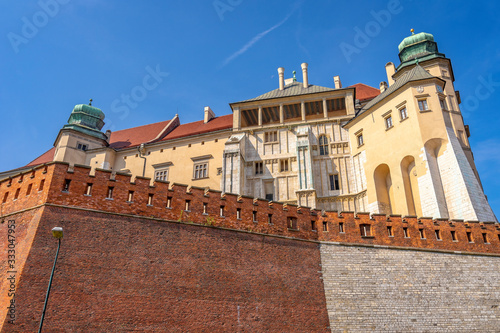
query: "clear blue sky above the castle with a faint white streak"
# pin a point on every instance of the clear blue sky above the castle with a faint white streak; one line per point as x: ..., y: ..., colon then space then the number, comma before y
x: 58, y: 53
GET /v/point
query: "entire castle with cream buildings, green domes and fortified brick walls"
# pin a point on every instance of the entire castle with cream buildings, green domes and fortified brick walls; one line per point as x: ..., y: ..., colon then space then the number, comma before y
x: 308, y: 209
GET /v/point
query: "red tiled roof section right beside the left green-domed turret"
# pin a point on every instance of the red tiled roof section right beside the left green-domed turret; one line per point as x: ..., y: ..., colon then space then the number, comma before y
x: 134, y: 136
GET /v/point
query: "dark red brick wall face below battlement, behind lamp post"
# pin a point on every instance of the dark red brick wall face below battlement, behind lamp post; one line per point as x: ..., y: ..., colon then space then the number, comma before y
x: 118, y: 274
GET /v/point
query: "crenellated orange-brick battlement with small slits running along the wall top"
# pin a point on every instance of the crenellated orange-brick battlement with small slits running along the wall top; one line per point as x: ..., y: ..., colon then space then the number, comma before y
x: 59, y: 184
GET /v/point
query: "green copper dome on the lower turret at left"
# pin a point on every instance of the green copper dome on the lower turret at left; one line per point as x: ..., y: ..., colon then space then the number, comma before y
x: 86, y: 119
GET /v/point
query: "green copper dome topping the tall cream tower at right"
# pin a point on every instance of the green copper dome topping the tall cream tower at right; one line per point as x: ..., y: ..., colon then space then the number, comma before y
x: 417, y: 47
